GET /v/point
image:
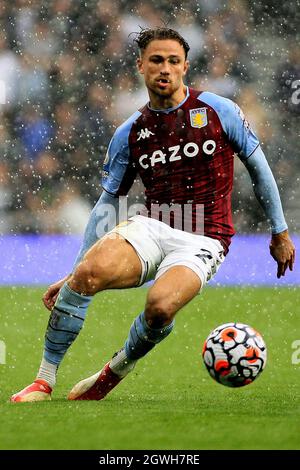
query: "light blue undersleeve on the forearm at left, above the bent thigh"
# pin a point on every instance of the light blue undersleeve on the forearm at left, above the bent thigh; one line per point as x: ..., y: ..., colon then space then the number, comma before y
x: 103, y: 218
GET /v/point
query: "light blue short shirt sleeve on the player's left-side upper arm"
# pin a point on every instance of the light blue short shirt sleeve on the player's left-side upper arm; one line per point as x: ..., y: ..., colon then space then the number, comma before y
x: 117, y: 160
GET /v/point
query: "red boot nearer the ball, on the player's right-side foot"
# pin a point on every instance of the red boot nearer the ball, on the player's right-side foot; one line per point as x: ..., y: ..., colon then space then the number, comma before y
x: 95, y: 387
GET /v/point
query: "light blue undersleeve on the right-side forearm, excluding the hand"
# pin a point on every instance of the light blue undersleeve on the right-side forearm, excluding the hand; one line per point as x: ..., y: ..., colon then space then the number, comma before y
x: 266, y: 190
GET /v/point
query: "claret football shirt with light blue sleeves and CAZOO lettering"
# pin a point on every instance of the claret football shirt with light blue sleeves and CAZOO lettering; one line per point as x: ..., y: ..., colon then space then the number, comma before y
x: 184, y: 156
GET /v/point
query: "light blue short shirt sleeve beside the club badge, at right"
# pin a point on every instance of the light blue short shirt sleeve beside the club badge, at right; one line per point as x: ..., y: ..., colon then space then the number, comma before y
x: 234, y: 123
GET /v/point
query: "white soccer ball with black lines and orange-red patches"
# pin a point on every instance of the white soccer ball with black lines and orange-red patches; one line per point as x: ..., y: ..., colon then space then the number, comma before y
x: 234, y: 354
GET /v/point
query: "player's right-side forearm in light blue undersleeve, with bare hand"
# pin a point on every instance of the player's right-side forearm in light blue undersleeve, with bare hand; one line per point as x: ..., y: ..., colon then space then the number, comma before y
x: 265, y: 188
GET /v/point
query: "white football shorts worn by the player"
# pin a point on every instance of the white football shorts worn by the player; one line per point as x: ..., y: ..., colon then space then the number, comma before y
x: 161, y: 247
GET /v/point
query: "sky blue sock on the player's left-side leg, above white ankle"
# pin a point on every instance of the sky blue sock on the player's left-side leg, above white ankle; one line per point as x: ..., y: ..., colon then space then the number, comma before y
x: 65, y: 322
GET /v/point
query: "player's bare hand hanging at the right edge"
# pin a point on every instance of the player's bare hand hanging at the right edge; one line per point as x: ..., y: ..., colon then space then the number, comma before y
x: 282, y: 250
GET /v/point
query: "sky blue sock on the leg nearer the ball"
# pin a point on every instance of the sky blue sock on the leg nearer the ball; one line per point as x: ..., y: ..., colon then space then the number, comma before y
x: 142, y: 338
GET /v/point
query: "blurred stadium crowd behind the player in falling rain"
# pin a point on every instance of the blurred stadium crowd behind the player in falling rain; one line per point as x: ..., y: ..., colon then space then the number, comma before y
x: 68, y: 68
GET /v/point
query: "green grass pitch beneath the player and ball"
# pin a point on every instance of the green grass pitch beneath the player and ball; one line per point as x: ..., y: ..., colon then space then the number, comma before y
x: 169, y: 401
